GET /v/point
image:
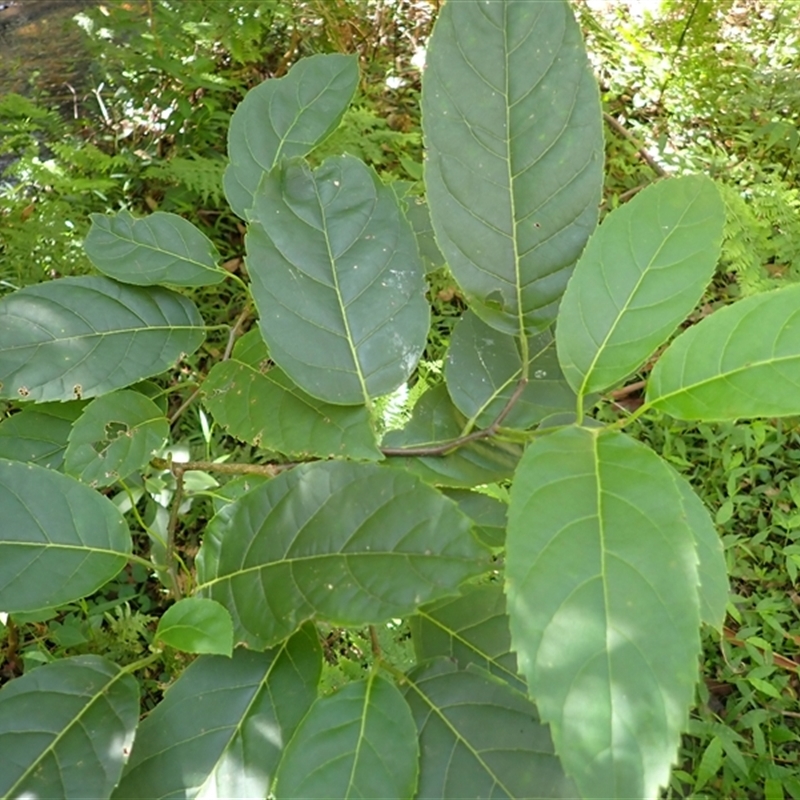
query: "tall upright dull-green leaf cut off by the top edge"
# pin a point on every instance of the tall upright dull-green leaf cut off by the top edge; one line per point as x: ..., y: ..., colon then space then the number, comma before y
x: 511, y: 115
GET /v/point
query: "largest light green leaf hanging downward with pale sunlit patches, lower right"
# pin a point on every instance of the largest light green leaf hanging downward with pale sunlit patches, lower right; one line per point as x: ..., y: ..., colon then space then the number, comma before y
x: 602, y: 587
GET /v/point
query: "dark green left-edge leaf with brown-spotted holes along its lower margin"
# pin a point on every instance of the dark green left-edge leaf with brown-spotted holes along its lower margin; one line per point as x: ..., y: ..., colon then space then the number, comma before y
x: 81, y: 337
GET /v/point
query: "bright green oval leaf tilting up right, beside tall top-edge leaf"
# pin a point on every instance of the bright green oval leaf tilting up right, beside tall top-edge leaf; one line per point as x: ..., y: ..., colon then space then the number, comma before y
x: 642, y: 273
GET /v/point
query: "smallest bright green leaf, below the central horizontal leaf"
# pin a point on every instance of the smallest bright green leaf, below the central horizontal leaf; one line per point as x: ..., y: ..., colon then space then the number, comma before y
x: 197, y: 625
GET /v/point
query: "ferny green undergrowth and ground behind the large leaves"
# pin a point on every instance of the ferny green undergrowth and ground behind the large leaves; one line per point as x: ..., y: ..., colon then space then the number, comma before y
x: 138, y: 121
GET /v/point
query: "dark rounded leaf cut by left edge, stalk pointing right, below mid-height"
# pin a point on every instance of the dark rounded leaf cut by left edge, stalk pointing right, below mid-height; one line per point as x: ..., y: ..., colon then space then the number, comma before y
x: 59, y: 540
